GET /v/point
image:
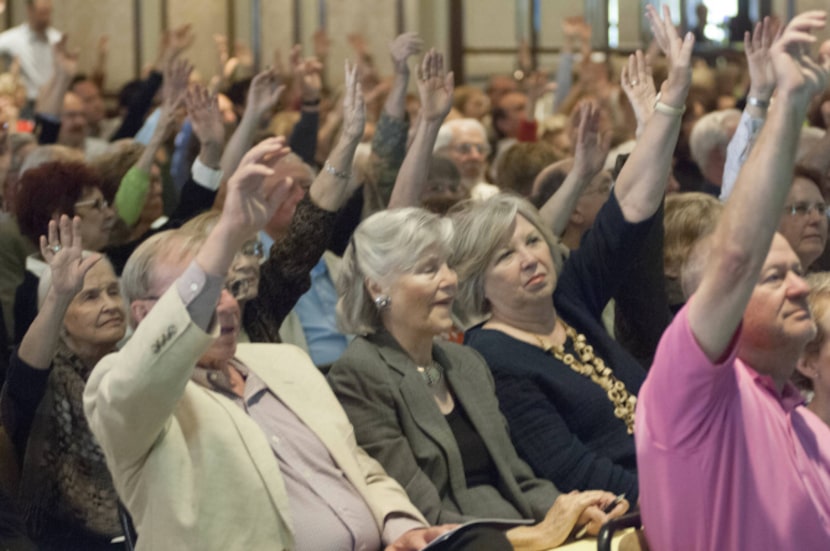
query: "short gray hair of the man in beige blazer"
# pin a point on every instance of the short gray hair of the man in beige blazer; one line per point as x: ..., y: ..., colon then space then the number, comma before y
x: 137, y: 277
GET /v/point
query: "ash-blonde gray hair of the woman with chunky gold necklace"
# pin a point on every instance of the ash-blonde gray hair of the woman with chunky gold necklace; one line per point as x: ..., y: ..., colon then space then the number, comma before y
x: 481, y: 228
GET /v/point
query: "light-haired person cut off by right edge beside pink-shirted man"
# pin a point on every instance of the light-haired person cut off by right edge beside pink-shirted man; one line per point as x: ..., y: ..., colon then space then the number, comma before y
x: 813, y: 375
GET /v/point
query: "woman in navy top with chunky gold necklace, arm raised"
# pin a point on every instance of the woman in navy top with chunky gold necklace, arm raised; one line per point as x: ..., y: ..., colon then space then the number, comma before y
x: 567, y: 389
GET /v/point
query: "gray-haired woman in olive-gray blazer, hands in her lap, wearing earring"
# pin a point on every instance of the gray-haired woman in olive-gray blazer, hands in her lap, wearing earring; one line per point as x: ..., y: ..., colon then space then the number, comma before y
x: 426, y: 408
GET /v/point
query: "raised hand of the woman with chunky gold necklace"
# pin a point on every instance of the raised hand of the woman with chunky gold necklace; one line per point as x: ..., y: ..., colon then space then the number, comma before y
x: 678, y: 52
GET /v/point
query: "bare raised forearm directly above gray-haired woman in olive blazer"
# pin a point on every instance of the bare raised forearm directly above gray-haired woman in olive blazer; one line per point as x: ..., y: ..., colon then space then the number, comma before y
x: 435, y: 88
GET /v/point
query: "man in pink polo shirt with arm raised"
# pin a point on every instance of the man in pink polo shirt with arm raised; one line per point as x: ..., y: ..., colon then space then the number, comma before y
x: 728, y: 456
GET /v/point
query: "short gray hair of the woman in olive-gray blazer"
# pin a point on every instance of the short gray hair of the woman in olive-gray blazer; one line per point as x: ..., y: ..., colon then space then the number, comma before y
x: 384, y: 246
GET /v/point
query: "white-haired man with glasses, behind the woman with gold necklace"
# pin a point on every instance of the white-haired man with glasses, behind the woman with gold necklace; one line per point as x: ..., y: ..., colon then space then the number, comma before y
x: 464, y: 141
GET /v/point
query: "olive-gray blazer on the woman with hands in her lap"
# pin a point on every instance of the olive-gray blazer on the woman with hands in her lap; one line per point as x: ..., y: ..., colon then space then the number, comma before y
x: 398, y: 422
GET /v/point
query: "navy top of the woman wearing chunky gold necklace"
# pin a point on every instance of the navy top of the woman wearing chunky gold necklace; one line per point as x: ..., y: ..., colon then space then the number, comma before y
x: 562, y: 423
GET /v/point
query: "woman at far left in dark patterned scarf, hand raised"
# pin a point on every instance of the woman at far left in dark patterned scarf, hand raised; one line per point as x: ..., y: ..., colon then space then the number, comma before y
x: 66, y: 491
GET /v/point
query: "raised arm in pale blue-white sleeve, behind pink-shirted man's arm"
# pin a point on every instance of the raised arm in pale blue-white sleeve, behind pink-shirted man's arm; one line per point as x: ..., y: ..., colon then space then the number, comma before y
x: 761, y: 86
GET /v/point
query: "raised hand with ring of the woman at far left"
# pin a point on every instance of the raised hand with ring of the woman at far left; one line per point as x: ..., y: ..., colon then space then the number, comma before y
x: 63, y: 251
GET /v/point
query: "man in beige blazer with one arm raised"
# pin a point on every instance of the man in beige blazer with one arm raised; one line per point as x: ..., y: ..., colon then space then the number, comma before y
x: 195, y: 469
